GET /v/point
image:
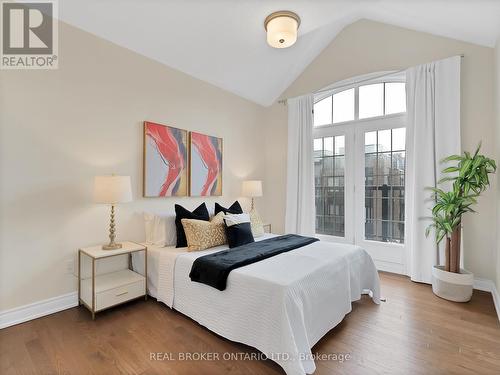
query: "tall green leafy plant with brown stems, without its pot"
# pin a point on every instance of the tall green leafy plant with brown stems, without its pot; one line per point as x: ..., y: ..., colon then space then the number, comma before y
x: 470, y: 178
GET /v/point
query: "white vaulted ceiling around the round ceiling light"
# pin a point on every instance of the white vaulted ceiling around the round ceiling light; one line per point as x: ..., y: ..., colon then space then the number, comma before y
x: 223, y: 41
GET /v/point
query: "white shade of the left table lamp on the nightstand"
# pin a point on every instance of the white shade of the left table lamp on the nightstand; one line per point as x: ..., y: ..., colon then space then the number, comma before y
x: 112, y: 189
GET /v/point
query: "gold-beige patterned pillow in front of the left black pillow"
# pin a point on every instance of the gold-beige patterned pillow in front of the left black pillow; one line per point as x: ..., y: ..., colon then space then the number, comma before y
x: 201, y: 234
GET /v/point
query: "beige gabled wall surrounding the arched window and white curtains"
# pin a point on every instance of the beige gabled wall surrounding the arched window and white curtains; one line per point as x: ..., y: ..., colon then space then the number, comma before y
x: 366, y: 47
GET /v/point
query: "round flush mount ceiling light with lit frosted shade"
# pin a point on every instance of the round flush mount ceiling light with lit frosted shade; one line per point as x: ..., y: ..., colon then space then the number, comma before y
x: 282, y: 28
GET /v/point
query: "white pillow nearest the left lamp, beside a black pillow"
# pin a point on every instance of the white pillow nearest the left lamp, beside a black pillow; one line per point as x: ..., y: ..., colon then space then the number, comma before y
x: 160, y: 229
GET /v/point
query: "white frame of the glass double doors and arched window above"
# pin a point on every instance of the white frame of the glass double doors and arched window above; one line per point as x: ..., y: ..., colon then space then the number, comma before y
x: 388, y: 256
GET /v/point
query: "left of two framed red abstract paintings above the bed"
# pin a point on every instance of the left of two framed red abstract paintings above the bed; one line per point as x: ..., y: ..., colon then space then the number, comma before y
x: 165, y: 161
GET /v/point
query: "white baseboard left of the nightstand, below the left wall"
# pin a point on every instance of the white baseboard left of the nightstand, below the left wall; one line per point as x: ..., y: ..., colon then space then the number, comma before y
x: 37, y: 309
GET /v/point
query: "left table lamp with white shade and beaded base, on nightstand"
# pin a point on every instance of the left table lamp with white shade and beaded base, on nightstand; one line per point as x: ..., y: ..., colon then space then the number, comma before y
x: 112, y: 190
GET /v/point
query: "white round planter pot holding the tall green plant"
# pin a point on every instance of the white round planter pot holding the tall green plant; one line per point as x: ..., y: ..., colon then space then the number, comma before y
x: 452, y: 286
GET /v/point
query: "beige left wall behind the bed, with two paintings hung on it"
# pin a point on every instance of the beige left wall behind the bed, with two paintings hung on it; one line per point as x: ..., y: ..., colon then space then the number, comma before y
x: 60, y: 128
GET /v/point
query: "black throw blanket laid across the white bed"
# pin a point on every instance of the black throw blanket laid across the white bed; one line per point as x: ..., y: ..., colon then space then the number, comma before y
x: 213, y: 269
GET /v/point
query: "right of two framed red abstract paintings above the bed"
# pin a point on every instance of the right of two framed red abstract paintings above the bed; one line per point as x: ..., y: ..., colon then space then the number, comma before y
x: 206, y: 165
